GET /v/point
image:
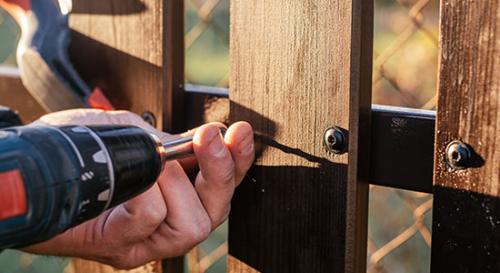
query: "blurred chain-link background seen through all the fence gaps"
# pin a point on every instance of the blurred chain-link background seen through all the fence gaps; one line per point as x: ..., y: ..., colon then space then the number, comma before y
x: 404, y: 74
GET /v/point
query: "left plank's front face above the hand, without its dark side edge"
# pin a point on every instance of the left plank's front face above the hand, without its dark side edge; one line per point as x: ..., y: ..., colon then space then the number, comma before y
x: 119, y: 45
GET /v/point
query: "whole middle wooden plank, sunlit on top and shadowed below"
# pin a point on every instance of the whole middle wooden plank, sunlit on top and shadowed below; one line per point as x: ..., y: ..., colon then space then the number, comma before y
x: 298, y: 68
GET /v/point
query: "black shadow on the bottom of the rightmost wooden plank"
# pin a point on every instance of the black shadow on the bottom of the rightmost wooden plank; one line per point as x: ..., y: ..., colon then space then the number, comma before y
x: 465, y: 231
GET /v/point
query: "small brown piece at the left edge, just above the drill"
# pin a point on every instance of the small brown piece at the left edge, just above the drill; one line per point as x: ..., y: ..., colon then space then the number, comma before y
x: 15, y: 96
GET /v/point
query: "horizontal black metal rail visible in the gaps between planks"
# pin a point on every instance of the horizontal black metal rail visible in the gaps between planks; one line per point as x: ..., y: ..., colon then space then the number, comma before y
x: 402, y: 143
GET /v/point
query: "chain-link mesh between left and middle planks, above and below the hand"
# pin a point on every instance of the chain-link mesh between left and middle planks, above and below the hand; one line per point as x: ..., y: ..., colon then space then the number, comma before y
x: 207, y: 45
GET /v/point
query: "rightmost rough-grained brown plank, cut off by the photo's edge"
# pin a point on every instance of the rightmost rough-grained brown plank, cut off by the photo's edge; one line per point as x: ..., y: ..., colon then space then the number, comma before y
x: 466, y: 225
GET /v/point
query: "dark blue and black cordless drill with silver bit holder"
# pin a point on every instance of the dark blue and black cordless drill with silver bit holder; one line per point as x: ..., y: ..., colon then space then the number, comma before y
x: 53, y: 178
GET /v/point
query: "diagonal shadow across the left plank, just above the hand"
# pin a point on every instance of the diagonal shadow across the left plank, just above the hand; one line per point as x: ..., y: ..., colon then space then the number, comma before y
x: 129, y: 82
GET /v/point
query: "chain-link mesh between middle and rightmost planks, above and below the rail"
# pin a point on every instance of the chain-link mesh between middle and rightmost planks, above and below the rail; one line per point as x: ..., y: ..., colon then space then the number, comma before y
x: 404, y: 74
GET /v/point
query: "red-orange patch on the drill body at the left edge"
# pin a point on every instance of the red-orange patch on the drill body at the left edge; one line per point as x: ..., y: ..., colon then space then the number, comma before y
x: 12, y: 195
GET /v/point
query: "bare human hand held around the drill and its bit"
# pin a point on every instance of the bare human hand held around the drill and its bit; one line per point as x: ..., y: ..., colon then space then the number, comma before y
x: 171, y: 217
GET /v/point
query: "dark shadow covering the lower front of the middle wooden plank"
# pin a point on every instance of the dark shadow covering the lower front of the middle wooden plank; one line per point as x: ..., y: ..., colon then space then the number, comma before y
x: 288, y: 224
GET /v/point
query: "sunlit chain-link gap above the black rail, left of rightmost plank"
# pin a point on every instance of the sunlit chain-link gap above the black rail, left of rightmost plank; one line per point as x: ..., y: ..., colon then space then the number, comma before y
x: 405, y: 53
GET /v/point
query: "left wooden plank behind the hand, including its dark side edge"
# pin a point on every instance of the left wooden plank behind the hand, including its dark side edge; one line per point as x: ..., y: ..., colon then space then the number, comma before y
x: 134, y: 50
